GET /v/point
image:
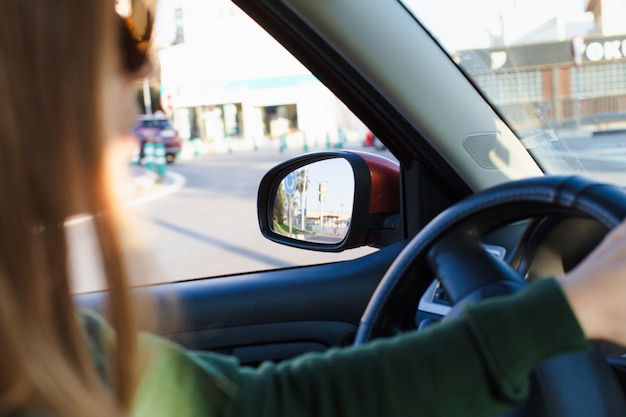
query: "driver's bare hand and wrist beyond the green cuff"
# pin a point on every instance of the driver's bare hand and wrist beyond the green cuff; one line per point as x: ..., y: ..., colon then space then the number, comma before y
x: 596, y: 289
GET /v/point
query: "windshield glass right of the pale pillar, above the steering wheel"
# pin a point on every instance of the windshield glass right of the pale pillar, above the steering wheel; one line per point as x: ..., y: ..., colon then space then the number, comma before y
x: 554, y: 70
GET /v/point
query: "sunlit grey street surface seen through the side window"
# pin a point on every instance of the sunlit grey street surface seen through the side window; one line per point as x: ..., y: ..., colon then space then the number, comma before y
x: 206, y: 228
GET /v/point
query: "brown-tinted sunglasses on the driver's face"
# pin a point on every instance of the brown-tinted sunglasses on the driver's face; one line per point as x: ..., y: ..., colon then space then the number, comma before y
x: 136, y: 19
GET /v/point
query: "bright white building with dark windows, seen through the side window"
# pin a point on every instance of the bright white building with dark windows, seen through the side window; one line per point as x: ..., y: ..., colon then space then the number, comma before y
x: 226, y: 81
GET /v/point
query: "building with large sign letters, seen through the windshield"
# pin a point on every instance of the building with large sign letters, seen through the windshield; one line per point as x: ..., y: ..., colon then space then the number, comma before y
x: 573, y: 74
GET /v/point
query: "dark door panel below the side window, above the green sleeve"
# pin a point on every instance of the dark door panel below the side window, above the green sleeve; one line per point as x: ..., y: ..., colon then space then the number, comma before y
x: 267, y: 315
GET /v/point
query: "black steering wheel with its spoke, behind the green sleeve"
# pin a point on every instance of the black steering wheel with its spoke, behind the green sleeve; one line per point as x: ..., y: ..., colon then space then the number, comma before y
x: 449, y: 247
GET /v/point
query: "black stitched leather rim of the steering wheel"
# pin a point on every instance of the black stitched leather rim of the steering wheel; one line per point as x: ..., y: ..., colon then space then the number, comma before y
x: 487, y: 210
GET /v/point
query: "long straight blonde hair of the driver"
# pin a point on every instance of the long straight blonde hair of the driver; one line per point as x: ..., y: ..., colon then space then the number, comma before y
x: 53, y: 58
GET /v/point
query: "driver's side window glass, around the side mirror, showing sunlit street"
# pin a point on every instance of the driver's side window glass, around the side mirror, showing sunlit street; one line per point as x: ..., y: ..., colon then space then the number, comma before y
x: 239, y: 104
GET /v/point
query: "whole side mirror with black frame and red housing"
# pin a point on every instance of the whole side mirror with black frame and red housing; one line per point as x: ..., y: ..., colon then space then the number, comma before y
x: 331, y: 201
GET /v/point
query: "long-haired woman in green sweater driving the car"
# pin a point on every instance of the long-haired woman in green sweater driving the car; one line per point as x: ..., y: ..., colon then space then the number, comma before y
x: 74, y: 64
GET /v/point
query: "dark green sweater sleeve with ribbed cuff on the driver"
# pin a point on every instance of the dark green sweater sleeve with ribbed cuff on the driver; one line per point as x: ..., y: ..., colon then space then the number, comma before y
x: 476, y: 365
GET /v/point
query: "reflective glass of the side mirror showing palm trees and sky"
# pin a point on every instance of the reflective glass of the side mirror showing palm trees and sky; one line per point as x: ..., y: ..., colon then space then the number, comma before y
x: 314, y: 202
